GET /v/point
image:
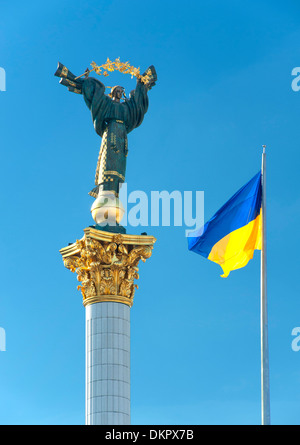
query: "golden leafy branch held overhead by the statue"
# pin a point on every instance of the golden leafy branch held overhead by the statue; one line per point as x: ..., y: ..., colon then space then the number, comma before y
x: 117, y: 65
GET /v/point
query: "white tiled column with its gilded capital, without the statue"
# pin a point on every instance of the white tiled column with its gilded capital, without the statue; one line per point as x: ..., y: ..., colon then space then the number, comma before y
x: 107, y: 265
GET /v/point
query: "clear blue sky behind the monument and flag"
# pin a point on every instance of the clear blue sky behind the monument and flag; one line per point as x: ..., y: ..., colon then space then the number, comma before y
x: 223, y: 90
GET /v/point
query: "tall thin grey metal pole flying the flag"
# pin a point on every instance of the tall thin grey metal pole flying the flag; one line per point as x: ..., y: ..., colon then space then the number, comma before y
x: 265, y: 383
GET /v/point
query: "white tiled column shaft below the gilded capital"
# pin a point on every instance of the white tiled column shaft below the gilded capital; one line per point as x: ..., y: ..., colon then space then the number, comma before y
x: 107, y: 364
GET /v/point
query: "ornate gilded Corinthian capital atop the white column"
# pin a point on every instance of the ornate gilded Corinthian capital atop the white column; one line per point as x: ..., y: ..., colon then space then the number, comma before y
x: 106, y: 264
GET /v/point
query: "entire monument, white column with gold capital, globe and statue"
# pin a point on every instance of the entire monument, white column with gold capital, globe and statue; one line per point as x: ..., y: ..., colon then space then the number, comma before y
x: 106, y: 258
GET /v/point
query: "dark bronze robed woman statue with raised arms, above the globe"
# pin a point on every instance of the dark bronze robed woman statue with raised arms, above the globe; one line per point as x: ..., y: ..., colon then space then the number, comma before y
x: 113, y: 120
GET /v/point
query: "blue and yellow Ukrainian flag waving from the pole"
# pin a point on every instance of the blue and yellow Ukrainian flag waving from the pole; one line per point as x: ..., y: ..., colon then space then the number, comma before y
x: 230, y: 237
